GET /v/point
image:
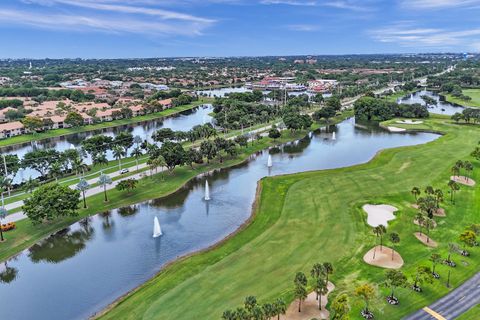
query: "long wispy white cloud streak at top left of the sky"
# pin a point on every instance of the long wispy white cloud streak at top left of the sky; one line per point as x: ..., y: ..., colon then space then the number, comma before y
x: 114, y: 16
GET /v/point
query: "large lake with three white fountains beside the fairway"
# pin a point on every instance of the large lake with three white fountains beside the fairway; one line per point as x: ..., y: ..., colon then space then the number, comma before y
x: 82, y: 269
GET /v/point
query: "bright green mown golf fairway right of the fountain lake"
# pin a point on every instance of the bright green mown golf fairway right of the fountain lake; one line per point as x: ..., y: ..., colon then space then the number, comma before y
x: 316, y: 217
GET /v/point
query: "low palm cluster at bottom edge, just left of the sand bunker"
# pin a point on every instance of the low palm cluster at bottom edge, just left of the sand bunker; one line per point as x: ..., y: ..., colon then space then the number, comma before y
x: 251, y: 310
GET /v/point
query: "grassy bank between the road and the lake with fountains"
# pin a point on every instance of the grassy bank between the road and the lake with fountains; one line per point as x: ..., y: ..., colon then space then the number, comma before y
x: 148, y: 188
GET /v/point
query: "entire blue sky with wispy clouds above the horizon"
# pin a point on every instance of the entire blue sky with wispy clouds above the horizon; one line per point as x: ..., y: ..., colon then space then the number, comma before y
x: 167, y: 28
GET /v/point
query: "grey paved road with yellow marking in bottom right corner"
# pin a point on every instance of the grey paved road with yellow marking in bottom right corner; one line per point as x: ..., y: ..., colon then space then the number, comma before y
x: 453, y: 304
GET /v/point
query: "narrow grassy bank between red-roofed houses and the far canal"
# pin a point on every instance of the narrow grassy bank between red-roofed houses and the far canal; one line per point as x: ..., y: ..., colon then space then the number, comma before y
x: 103, y: 125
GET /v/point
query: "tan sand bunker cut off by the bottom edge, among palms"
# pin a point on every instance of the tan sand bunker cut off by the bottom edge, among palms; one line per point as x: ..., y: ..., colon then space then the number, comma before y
x: 309, y: 308
